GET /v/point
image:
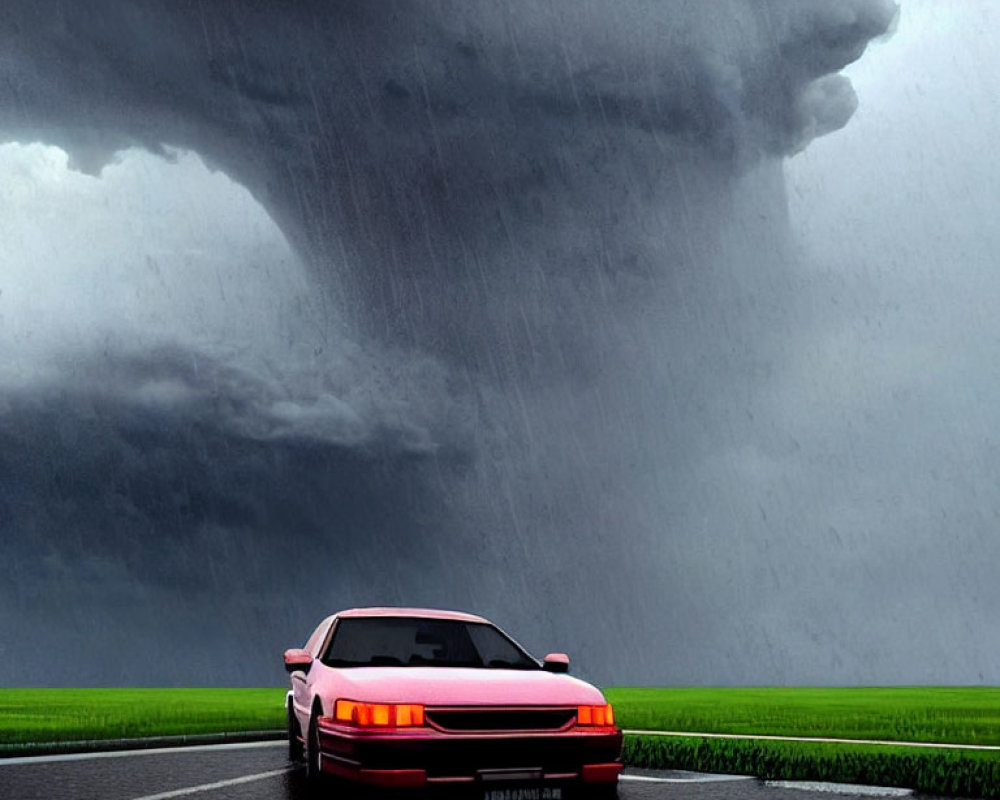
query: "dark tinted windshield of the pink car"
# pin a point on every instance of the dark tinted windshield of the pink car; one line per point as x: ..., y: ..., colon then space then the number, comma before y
x: 420, y: 642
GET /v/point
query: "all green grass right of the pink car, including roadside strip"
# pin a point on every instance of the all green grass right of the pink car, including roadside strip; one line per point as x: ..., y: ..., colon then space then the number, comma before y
x: 944, y: 715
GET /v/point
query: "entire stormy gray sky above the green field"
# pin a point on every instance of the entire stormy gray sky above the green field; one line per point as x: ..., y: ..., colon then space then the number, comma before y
x: 775, y: 442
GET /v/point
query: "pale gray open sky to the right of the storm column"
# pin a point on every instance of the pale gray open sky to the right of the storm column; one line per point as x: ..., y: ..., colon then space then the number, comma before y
x: 898, y: 377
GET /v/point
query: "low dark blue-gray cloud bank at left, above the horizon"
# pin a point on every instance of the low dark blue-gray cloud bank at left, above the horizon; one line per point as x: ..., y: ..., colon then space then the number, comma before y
x: 156, y: 500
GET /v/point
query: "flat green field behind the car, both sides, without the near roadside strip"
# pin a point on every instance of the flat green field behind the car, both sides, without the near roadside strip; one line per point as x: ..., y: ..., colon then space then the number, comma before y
x: 950, y: 715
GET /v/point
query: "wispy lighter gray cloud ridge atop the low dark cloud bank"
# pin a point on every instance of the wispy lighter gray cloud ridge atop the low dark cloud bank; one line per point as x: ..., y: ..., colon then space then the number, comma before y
x: 250, y: 403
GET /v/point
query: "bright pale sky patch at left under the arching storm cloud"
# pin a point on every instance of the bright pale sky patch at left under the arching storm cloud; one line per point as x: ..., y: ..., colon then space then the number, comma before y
x: 150, y: 250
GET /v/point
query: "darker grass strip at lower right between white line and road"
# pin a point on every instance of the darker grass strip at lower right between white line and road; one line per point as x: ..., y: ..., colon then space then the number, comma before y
x: 939, y: 772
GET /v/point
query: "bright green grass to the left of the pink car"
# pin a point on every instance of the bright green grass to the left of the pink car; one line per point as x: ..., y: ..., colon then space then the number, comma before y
x: 62, y: 715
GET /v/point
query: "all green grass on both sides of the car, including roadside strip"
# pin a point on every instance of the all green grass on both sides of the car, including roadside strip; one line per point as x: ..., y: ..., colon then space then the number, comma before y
x: 943, y: 715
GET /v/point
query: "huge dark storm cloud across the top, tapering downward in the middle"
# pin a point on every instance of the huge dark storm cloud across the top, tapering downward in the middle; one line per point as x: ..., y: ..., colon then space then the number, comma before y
x: 377, y: 116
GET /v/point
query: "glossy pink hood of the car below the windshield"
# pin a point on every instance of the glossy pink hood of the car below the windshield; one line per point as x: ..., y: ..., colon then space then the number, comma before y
x: 458, y: 686
